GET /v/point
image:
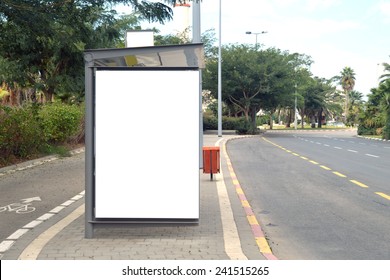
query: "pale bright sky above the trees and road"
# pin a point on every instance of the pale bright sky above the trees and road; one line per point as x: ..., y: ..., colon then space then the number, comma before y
x: 334, y: 33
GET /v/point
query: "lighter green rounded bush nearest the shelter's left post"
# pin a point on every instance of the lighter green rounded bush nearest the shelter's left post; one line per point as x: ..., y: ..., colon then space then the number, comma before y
x: 60, y: 121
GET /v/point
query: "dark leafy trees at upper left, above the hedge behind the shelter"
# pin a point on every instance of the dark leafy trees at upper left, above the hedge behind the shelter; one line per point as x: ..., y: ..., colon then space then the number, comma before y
x: 42, y: 42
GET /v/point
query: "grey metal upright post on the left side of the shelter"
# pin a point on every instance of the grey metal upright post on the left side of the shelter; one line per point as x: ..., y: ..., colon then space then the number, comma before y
x: 89, y: 150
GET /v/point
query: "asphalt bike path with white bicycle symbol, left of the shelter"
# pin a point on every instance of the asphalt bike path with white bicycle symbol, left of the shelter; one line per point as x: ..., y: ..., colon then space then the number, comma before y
x: 31, y: 192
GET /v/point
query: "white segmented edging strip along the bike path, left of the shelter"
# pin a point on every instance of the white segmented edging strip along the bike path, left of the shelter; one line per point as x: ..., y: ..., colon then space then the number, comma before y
x: 6, y: 244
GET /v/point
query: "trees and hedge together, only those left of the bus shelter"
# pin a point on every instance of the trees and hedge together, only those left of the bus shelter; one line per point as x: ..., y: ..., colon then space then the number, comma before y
x: 42, y: 68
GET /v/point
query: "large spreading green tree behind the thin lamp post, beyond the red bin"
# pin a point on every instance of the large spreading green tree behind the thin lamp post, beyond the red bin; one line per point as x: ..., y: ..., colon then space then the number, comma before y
x: 253, y: 80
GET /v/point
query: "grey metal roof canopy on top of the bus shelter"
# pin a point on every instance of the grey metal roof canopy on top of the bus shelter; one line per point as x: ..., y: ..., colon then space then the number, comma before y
x: 187, y: 55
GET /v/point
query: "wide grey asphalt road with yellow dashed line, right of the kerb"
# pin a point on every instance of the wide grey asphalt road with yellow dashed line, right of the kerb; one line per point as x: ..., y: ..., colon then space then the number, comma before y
x: 322, y: 195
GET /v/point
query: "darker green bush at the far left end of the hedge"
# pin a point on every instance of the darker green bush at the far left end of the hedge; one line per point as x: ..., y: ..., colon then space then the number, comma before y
x: 20, y: 133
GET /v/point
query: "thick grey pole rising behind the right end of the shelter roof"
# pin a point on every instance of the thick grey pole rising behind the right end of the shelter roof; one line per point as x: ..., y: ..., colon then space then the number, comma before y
x: 196, y: 38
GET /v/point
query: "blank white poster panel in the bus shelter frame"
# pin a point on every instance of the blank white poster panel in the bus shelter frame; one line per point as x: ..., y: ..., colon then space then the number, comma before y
x: 147, y: 144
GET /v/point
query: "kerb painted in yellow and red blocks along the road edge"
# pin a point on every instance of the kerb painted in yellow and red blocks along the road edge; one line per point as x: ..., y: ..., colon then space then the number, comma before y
x: 257, y: 231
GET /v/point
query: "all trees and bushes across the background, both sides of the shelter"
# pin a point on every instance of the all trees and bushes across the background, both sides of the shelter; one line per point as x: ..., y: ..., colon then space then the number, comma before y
x: 42, y: 78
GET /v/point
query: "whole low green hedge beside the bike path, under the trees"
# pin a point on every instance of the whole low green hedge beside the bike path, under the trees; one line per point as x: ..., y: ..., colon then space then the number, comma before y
x: 29, y: 130
